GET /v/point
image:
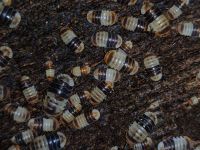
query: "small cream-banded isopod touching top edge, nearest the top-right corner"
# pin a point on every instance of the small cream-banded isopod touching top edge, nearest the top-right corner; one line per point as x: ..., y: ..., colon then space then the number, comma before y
x: 176, y: 10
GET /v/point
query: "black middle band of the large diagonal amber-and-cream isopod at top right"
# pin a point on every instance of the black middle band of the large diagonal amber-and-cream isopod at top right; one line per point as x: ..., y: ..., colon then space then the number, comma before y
x: 152, y: 14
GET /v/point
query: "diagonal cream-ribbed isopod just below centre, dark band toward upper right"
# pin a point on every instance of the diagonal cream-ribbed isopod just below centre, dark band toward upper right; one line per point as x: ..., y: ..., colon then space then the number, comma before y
x: 100, y: 93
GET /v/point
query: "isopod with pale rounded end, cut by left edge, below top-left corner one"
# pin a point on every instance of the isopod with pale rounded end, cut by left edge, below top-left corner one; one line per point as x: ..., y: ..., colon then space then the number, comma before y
x: 5, y: 55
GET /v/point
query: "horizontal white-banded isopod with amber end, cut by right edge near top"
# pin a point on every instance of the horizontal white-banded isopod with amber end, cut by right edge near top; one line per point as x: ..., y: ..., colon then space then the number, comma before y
x: 188, y: 29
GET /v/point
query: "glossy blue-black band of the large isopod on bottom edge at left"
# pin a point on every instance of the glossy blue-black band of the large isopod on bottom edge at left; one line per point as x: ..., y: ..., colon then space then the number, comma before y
x: 53, y: 141
